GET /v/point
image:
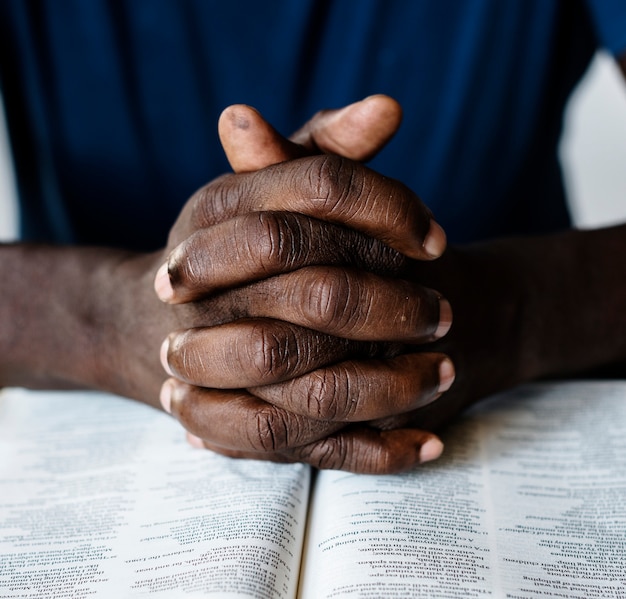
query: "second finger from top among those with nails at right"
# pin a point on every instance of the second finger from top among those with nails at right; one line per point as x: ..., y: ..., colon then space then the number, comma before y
x: 348, y: 303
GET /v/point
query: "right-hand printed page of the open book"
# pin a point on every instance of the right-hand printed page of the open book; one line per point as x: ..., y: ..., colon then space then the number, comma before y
x: 529, y: 500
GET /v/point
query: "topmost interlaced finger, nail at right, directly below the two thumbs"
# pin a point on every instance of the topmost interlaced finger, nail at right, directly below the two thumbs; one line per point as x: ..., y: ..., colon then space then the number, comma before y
x: 332, y: 189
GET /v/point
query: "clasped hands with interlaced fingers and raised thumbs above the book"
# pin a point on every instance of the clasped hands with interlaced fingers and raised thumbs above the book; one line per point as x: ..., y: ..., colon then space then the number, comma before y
x: 306, y: 330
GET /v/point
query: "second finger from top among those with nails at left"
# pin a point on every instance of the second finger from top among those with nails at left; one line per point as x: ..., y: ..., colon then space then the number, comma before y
x: 247, y: 353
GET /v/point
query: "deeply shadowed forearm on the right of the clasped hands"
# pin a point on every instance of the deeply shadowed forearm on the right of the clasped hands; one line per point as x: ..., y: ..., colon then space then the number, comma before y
x: 529, y: 308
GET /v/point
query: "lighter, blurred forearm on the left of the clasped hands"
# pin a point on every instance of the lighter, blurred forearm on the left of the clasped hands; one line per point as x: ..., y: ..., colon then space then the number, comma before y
x: 64, y: 316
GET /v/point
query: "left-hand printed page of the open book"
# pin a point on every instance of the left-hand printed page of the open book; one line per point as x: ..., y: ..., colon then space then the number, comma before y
x: 102, y: 497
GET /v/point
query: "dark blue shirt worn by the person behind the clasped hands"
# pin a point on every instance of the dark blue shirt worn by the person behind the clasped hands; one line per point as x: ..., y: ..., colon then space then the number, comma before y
x: 112, y: 106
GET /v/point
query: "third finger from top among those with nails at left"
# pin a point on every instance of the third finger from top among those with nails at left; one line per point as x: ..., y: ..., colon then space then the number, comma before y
x: 236, y: 420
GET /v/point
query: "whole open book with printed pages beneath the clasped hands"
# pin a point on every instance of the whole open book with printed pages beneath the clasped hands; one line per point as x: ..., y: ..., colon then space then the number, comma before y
x: 101, y: 497
